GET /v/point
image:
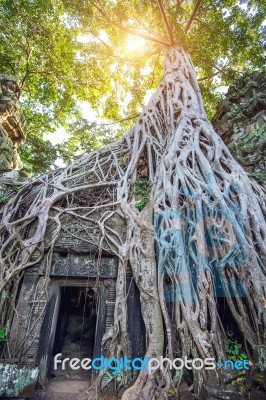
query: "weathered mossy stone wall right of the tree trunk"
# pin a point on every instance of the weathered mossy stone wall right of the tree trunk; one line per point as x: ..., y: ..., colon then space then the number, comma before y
x: 241, y: 122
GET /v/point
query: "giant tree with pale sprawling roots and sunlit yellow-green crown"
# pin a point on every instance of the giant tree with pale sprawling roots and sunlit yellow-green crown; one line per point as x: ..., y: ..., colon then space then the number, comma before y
x: 194, y: 221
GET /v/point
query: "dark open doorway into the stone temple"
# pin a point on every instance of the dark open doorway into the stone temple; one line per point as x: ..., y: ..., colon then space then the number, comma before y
x: 76, y: 327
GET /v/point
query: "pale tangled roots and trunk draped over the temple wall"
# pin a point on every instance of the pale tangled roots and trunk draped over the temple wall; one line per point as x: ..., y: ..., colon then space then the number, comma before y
x: 202, y: 228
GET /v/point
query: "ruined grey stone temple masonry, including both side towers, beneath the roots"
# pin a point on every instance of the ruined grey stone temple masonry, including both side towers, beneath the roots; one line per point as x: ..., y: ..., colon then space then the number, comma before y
x: 71, y: 315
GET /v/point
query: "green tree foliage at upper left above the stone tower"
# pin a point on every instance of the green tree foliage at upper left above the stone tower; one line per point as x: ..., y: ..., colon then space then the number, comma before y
x: 38, y: 42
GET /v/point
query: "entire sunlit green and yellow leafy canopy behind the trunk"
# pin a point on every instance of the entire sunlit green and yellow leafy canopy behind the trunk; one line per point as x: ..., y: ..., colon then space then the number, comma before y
x: 109, y: 53
